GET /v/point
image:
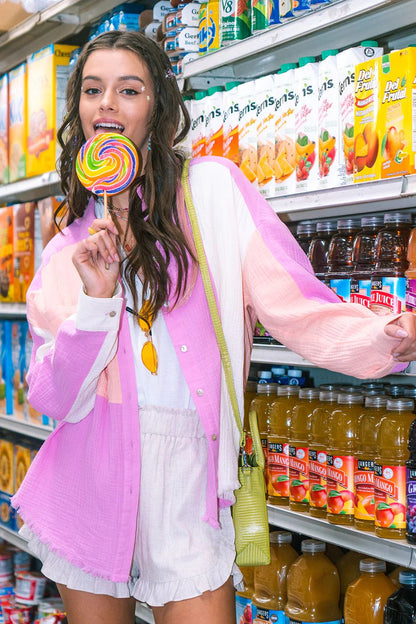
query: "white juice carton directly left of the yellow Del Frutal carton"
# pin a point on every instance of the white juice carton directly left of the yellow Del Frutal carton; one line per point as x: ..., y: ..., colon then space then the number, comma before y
x: 346, y: 62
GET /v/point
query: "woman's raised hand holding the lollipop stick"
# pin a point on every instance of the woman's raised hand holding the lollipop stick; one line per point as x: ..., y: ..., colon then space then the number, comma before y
x: 96, y: 259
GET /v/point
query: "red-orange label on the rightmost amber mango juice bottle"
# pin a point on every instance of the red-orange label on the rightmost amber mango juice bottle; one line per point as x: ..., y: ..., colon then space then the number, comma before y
x: 390, y: 496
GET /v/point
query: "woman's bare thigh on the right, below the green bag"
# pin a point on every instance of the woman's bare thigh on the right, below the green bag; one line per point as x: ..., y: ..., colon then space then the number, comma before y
x: 212, y: 606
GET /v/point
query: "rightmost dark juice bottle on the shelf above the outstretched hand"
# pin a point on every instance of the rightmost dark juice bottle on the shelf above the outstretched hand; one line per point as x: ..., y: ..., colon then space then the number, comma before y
x: 388, y: 283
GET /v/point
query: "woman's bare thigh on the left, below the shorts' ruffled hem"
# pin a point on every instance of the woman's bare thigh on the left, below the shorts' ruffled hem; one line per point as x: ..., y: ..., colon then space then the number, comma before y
x: 86, y: 608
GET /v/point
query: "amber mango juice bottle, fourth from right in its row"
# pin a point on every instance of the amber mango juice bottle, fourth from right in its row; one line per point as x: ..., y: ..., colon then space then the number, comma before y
x: 317, y: 452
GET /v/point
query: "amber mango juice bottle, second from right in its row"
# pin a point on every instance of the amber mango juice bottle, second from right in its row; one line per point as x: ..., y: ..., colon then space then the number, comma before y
x: 364, y: 461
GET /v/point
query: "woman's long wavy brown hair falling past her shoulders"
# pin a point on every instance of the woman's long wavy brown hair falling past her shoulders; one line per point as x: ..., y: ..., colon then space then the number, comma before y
x: 153, y: 216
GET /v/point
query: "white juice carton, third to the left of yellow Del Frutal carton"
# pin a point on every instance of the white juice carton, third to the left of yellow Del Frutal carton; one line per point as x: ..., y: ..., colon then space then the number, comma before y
x: 306, y: 124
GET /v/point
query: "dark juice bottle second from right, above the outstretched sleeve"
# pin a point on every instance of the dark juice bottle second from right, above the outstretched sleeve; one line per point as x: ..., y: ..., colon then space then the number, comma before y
x: 363, y: 258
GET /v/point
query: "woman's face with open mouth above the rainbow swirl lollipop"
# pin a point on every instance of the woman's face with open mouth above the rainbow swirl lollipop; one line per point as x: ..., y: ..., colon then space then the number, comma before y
x: 117, y: 96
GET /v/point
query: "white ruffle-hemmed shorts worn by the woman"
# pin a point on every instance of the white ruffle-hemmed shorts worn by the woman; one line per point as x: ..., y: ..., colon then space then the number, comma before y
x: 177, y: 555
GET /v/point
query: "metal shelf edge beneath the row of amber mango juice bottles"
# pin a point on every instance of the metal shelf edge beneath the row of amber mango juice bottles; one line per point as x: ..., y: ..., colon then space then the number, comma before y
x: 396, y: 551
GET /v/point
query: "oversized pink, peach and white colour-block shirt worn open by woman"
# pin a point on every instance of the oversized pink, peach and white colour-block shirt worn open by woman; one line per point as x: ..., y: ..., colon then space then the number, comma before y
x: 81, y: 493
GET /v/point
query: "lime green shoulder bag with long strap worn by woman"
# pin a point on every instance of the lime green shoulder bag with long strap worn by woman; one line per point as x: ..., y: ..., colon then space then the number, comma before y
x: 249, y: 510
